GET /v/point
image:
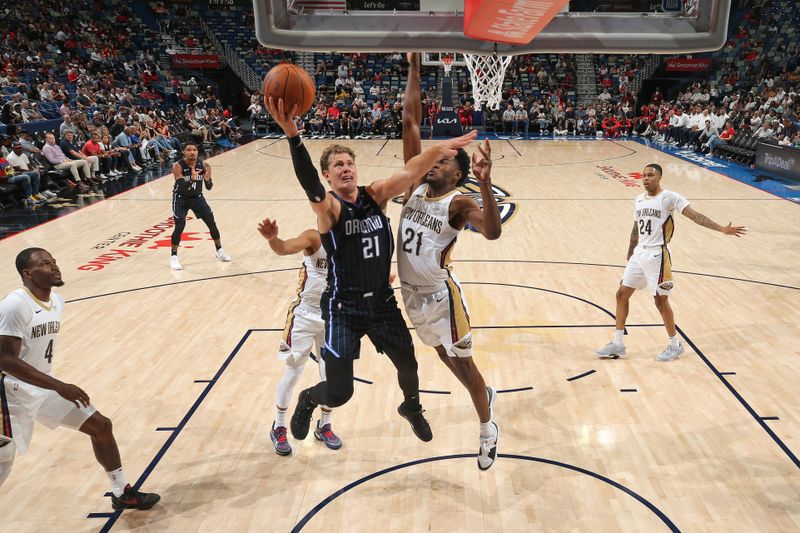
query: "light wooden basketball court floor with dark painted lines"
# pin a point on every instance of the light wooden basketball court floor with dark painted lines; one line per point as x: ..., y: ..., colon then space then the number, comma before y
x: 185, y: 363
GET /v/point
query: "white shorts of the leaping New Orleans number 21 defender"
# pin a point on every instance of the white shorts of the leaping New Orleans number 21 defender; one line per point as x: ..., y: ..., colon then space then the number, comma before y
x: 440, y: 318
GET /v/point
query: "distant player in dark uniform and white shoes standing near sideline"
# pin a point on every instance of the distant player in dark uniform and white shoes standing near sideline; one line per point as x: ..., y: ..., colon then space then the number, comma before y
x: 190, y: 174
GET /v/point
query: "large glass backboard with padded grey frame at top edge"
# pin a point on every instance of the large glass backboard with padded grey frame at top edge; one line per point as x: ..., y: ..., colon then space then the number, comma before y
x: 584, y: 26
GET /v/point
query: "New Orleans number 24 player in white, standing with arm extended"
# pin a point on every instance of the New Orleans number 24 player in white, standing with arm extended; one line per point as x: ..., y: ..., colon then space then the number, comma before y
x: 649, y: 261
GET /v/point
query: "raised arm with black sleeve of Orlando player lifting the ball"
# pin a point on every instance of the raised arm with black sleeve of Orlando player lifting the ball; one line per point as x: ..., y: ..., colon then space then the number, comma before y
x: 323, y: 205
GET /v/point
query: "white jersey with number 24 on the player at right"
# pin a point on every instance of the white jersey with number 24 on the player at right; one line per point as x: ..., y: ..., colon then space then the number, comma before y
x: 653, y: 216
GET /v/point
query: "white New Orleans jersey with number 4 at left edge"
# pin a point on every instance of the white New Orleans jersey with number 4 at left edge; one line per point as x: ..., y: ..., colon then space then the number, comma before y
x: 36, y: 323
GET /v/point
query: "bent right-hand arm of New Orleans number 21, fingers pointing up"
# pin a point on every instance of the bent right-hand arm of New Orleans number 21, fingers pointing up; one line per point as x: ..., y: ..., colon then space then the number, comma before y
x: 486, y: 220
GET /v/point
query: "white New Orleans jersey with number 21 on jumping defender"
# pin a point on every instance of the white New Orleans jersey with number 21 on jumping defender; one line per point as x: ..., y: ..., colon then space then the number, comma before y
x: 425, y: 239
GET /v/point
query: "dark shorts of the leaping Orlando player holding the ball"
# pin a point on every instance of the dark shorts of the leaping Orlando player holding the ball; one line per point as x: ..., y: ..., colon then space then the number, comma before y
x: 375, y: 315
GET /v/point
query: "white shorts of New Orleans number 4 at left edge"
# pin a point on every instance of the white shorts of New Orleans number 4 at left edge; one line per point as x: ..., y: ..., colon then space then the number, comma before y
x: 22, y: 404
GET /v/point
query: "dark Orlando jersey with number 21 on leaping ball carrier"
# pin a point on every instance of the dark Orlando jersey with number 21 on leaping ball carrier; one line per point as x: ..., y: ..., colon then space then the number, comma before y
x: 360, y: 248
